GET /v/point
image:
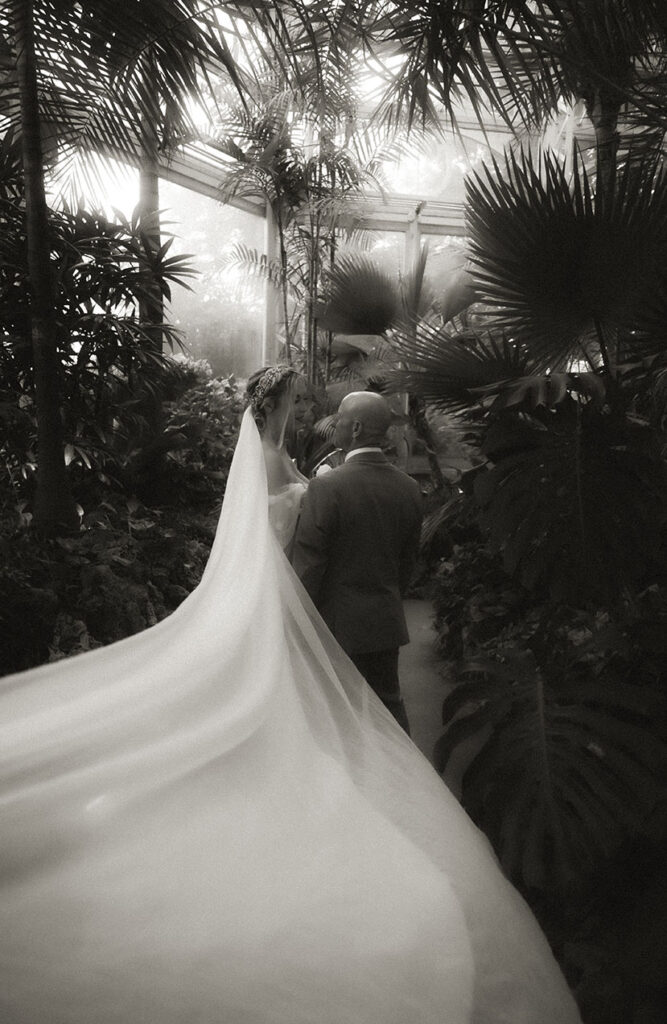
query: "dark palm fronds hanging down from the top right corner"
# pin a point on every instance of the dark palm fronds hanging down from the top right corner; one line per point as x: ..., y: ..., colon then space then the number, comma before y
x: 520, y: 60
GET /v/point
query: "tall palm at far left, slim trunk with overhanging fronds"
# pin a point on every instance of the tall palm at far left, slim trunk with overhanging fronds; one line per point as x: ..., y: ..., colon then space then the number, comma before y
x: 76, y: 68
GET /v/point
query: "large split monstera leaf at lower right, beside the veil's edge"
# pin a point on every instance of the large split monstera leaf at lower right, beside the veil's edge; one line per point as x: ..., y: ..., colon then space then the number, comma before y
x: 564, y: 771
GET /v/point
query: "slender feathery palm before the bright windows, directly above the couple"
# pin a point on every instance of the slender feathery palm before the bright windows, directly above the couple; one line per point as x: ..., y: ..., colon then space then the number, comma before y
x: 312, y: 192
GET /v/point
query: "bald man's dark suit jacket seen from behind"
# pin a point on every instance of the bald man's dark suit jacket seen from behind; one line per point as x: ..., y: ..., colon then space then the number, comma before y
x: 356, y: 547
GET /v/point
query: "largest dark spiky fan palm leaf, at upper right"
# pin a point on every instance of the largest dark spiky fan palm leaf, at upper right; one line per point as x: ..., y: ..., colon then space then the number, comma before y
x: 563, y: 266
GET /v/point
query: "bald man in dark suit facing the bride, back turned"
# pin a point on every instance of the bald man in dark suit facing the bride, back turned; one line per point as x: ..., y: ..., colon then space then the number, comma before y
x: 357, y: 543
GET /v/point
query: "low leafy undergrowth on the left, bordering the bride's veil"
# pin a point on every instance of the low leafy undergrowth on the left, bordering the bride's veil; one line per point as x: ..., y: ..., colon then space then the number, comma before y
x: 136, y: 559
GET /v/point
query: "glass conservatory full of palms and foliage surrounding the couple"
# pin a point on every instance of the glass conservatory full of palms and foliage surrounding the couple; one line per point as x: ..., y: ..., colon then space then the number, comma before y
x: 461, y: 206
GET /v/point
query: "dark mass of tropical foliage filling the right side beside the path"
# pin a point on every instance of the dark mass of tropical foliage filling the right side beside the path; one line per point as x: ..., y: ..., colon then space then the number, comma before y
x: 556, y: 608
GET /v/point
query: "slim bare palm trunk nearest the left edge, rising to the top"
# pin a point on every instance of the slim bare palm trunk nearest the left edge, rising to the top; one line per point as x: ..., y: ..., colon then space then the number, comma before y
x: 54, y: 511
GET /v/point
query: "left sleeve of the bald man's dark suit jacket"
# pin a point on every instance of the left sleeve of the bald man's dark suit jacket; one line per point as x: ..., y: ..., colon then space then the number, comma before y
x: 314, y: 536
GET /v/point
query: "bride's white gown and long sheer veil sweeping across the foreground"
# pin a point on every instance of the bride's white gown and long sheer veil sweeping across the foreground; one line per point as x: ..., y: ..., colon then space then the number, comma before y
x: 217, y: 823
